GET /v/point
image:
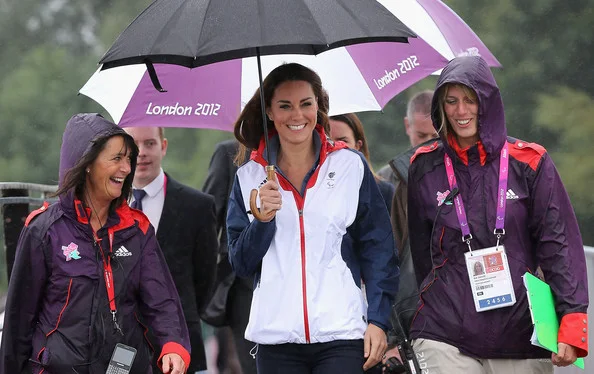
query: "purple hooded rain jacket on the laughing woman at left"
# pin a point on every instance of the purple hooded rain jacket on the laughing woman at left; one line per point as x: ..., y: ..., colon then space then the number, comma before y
x: 58, y: 318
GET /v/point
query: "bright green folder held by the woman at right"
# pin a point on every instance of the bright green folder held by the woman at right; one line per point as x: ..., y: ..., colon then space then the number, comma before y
x: 544, y: 317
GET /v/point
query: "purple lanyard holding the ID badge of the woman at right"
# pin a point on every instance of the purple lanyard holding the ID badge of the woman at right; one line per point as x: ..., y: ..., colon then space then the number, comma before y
x: 501, y: 196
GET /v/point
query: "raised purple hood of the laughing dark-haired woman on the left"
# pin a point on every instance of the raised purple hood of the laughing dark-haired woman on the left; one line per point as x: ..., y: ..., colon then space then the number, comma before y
x: 82, y: 130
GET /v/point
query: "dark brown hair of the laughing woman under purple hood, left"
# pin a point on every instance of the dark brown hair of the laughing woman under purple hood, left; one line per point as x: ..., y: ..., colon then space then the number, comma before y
x: 75, y: 178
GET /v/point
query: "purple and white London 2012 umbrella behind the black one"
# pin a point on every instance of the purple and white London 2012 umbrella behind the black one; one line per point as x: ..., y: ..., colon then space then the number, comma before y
x: 358, y: 78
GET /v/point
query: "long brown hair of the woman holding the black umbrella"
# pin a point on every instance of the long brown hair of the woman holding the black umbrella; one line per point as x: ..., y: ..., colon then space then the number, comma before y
x: 248, y: 127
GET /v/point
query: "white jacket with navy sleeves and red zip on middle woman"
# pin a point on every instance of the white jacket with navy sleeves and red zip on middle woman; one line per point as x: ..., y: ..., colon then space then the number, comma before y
x: 310, y: 259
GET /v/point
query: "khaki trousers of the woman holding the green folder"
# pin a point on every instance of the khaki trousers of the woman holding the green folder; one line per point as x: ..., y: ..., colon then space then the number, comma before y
x: 440, y: 358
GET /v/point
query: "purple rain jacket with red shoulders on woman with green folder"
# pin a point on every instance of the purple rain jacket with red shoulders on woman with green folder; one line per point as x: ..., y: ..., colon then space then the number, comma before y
x: 540, y: 225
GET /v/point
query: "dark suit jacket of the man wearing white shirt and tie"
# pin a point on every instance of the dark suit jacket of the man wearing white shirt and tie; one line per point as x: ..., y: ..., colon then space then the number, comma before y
x: 188, y: 238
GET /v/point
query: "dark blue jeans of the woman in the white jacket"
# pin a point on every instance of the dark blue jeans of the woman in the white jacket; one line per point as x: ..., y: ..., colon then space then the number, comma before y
x: 339, y: 356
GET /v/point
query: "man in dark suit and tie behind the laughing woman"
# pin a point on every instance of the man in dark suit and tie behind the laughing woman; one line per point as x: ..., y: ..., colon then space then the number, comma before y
x: 185, y: 223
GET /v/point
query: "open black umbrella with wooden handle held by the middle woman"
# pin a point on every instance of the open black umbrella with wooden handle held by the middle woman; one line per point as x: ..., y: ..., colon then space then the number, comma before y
x: 194, y: 33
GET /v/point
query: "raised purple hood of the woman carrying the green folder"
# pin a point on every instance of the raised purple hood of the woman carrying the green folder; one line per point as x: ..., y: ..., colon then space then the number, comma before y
x: 474, y: 72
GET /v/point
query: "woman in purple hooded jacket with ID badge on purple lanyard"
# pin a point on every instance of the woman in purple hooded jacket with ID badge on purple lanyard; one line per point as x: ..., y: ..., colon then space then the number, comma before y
x: 485, y: 197
